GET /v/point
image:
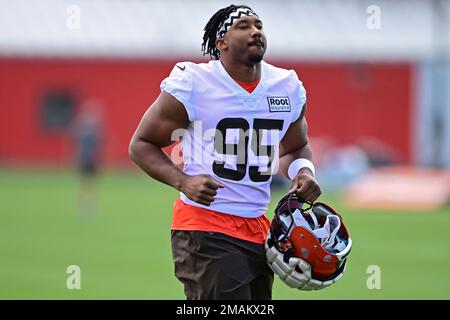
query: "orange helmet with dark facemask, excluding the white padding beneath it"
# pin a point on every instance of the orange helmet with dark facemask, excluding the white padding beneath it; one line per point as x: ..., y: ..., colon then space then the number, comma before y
x: 316, y: 234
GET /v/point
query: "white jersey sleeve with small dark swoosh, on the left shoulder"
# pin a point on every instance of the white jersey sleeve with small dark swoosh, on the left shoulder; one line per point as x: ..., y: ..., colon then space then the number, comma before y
x: 179, y: 84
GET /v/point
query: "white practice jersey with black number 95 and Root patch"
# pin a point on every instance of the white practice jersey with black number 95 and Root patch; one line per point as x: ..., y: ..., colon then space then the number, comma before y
x: 233, y: 135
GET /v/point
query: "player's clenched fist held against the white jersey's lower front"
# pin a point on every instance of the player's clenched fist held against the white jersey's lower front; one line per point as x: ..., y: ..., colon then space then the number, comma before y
x: 201, y: 188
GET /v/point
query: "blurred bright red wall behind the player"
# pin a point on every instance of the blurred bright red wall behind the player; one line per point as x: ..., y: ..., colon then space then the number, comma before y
x: 345, y: 101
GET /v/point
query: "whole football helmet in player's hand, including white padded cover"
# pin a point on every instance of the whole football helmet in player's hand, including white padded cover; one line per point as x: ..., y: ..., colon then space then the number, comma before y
x: 307, y: 244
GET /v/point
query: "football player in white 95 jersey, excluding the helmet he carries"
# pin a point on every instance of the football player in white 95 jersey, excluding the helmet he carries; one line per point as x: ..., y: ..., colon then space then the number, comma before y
x: 257, y: 114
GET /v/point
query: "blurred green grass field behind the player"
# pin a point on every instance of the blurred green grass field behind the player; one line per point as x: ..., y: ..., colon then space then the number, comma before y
x: 124, y: 250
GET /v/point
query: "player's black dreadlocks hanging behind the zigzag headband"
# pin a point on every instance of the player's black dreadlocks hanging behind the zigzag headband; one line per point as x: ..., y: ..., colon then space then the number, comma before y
x: 211, y: 28
